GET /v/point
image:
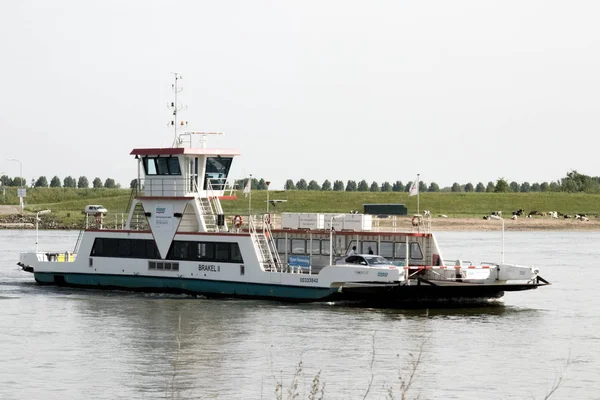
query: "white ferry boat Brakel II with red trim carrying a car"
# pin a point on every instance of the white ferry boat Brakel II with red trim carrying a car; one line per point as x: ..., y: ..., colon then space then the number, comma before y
x: 177, y: 238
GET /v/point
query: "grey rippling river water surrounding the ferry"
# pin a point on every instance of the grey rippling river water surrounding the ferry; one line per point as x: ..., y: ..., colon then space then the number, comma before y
x: 58, y: 343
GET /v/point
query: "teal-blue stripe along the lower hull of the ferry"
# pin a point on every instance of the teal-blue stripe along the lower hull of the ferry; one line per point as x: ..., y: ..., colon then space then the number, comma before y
x: 182, y: 285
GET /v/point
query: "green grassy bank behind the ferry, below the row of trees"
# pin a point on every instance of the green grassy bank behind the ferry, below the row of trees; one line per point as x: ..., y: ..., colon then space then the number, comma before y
x: 67, y: 204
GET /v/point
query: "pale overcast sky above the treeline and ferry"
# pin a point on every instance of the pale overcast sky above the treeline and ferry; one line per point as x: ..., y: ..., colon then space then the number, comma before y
x: 456, y: 91
